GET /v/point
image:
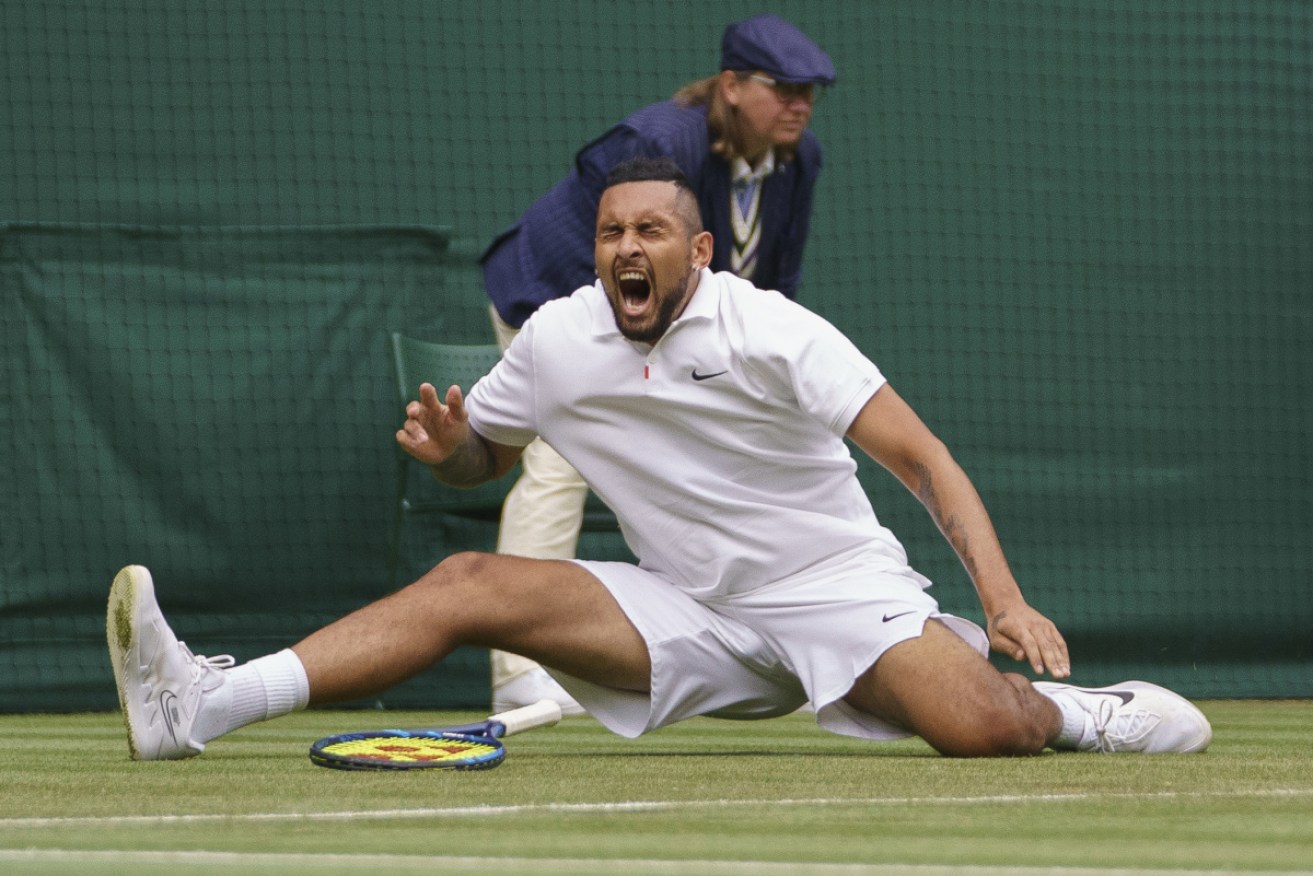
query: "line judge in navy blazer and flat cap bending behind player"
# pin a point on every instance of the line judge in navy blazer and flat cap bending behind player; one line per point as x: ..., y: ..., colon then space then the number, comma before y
x: 744, y: 141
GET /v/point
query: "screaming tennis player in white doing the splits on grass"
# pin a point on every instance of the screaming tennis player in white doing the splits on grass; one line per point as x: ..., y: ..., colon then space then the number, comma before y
x: 712, y: 418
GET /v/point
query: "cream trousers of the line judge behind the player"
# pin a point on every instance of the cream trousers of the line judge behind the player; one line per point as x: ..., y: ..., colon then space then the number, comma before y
x: 542, y: 517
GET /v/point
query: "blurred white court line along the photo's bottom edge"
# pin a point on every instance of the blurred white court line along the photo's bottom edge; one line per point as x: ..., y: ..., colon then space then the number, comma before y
x: 450, y: 864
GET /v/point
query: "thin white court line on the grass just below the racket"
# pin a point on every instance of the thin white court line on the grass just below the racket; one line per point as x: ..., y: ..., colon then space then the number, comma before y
x: 636, y: 806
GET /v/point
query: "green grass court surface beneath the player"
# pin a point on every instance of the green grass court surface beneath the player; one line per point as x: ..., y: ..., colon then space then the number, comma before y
x: 700, y: 798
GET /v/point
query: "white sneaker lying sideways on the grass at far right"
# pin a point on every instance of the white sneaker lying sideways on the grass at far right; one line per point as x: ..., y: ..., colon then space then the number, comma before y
x: 1135, y: 716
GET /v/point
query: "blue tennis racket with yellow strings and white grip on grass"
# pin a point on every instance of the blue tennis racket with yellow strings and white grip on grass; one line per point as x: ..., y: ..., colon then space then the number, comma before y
x: 469, y: 747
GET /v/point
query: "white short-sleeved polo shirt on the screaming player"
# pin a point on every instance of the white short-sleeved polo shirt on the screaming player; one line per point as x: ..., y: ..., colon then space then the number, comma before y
x: 720, y: 449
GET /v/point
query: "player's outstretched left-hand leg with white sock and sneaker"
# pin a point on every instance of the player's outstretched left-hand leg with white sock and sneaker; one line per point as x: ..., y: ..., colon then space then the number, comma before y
x: 177, y: 702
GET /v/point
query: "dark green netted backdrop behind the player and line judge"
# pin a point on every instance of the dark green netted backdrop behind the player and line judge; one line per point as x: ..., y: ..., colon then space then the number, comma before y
x: 1076, y: 238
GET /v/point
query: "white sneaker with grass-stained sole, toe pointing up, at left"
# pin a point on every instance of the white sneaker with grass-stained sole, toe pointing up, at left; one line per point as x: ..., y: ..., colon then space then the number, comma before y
x: 161, y: 682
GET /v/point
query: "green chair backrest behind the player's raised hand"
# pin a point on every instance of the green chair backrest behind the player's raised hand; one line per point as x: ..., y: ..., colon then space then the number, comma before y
x: 417, y: 362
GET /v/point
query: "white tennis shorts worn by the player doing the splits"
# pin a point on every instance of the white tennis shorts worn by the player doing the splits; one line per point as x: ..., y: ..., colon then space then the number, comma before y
x: 766, y: 653
